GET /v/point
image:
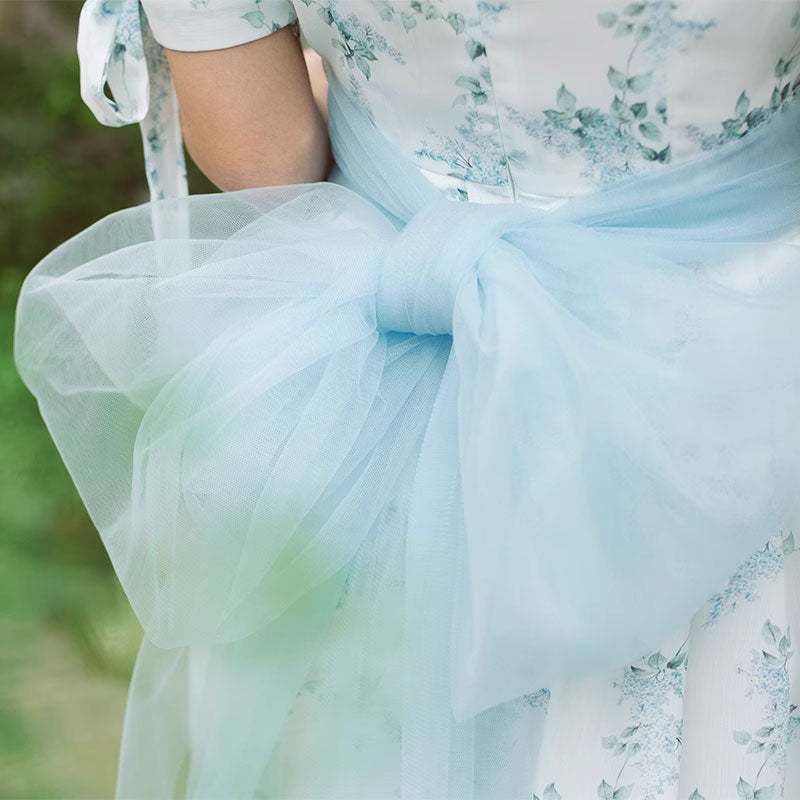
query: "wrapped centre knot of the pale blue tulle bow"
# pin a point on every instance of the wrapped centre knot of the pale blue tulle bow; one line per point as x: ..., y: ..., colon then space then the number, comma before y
x: 437, y: 251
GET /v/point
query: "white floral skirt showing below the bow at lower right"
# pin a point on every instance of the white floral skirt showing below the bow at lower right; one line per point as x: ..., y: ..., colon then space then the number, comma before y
x: 712, y: 714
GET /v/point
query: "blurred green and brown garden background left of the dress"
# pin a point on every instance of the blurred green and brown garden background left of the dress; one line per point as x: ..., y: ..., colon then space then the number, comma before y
x: 67, y: 637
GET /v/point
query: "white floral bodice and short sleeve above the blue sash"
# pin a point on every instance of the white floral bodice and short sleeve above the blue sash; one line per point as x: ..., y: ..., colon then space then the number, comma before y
x: 533, y: 100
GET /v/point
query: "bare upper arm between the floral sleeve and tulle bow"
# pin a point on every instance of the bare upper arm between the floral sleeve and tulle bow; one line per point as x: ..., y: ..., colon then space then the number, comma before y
x: 249, y: 115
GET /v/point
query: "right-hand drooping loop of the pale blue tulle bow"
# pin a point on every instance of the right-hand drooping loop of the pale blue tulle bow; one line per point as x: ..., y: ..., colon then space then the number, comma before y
x: 628, y: 437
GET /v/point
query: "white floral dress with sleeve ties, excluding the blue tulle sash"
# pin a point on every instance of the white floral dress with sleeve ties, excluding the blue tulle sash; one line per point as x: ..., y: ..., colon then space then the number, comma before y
x: 534, y: 102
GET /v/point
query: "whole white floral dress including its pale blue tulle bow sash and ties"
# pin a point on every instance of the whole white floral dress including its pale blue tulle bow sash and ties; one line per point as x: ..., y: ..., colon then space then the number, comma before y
x: 393, y: 531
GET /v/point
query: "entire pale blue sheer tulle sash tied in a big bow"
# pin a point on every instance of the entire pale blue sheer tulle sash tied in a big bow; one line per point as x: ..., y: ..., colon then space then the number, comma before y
x: 373, y: 465
